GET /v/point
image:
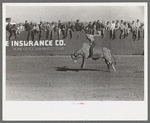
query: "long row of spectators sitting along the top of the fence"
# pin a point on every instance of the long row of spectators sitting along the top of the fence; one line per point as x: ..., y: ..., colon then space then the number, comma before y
x: 94, y: 28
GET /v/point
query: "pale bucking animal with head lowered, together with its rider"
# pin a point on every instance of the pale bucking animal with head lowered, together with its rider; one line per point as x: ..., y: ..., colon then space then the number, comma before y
x: 90, y: 50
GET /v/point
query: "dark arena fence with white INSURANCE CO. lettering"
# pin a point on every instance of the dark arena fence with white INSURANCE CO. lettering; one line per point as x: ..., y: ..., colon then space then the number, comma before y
x: 66, y: 46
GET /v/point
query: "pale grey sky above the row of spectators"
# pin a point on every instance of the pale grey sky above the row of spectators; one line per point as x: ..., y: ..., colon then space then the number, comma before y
x: 68, y: 13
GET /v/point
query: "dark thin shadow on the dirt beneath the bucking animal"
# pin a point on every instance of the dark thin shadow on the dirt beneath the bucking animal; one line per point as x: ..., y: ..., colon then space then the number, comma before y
x: 65, y: 68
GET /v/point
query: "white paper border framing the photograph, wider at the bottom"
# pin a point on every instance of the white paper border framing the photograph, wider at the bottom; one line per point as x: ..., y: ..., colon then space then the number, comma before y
x: 64, y: 110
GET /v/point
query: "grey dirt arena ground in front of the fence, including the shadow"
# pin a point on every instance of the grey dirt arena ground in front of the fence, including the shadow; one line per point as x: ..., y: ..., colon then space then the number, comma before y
x: 57, y: 78
